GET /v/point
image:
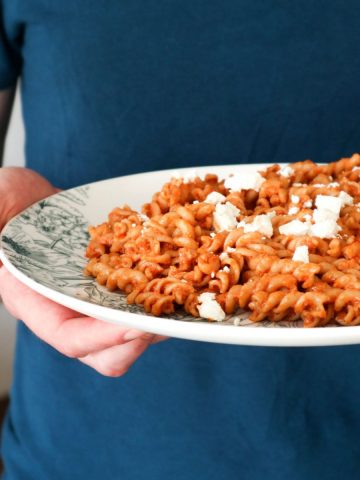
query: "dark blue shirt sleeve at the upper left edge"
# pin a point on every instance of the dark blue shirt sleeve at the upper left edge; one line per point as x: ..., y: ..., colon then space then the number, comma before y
x: 10, y: 47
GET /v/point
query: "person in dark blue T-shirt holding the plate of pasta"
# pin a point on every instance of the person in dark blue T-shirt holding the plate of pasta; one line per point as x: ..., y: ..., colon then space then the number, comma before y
x: 112, y: 88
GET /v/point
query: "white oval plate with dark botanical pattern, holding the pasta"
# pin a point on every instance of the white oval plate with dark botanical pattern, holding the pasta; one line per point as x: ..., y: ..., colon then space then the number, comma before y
x: 44, y: 248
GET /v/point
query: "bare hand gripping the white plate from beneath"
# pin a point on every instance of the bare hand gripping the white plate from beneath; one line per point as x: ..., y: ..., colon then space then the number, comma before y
x: 109, y: 349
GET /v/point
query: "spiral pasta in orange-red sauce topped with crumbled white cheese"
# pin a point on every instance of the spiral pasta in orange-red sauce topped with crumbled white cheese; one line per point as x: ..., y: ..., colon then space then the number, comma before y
x: 283, y: 243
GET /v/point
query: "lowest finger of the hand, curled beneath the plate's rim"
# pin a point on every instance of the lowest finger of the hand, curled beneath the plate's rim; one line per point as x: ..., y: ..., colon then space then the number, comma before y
x: 116, y: 361
